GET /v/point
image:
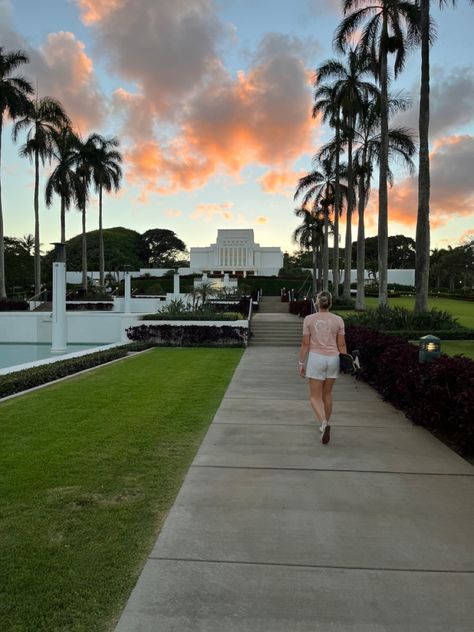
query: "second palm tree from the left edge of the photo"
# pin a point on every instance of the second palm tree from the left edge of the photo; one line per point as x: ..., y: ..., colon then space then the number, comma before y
x: 42, y: 118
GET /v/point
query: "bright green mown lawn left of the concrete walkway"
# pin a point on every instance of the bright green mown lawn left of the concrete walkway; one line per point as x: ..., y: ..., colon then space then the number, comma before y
x: 89, y: 468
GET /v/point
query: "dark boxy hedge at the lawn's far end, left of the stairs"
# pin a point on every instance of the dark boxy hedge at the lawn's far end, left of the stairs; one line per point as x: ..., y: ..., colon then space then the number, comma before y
x: 190, y: 335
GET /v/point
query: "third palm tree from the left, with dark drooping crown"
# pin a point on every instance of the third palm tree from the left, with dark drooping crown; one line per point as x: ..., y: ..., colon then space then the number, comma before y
x: 64, y: 180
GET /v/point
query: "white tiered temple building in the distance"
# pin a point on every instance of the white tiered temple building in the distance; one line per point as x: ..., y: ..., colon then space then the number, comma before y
x: 236, y: 252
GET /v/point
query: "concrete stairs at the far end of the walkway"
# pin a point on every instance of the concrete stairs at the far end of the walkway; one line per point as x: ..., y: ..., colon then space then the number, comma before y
x: 273, y: 326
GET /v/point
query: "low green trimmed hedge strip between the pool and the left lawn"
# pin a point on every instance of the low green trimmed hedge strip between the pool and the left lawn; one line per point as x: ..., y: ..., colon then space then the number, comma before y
x: 18, y: 381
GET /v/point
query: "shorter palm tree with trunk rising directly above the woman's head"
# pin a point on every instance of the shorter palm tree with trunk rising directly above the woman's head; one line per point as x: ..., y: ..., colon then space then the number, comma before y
x: 320, y: 187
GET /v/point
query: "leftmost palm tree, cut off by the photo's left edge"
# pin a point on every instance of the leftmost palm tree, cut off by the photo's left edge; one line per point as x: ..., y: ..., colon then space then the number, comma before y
x: 14, y: 91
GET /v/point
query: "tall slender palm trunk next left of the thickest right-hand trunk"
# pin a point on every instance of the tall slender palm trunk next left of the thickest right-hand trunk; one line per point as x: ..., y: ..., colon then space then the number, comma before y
x: 383, y: 194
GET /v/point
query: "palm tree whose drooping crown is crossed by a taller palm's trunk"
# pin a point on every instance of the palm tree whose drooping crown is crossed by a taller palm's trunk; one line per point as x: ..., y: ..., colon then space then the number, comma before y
x: 368, y: 138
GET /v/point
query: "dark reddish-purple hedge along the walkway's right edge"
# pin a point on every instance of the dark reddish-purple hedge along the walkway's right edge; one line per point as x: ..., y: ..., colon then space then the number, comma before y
x: 438, y: 396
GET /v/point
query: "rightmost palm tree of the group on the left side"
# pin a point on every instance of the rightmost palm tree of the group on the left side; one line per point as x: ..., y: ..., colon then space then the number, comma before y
x: 107, y: 175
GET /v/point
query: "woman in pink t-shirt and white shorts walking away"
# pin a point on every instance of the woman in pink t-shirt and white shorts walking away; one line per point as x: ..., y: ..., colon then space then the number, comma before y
x: 323, y: 341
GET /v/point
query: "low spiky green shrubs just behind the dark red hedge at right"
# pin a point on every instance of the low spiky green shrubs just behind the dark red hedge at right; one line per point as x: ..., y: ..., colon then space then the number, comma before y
x: 394, y: 318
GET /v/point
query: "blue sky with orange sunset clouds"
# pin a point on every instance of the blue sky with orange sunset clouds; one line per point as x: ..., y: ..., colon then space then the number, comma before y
x: 211, y: 101
